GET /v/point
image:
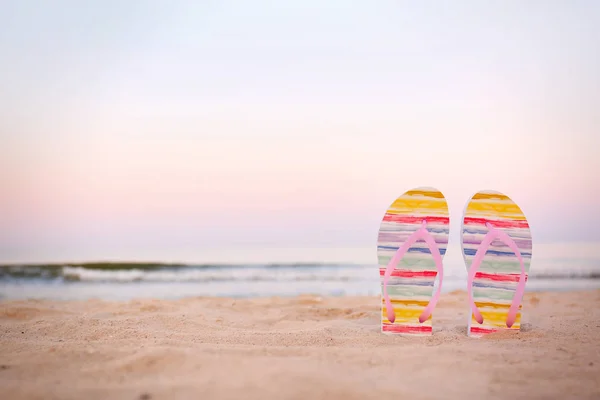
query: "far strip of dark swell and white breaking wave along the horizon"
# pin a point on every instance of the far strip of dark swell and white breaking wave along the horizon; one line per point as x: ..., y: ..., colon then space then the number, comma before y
x: 243, y: 273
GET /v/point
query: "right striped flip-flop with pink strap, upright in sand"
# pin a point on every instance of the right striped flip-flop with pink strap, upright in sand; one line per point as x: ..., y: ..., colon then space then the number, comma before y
x: 496, y: 245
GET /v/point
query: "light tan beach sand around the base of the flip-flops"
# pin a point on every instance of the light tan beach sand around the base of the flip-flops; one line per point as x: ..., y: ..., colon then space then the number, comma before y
x: 292, y: 348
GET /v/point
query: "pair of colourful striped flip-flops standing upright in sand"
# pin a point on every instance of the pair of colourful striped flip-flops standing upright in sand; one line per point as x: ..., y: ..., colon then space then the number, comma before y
x: 413, y: 238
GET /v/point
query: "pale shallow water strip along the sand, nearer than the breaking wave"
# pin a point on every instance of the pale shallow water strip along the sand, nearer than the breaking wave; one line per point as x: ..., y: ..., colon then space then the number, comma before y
x: 144, y: 290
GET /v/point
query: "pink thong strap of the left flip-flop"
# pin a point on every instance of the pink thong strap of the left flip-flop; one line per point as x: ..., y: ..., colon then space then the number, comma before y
x: 423, y: 234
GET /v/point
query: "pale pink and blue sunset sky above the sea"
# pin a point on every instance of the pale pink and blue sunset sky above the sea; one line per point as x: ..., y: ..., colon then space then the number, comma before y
x: 183, y: 130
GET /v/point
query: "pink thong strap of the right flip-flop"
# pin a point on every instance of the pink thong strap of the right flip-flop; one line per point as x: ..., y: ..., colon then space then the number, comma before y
x: 493, y: 234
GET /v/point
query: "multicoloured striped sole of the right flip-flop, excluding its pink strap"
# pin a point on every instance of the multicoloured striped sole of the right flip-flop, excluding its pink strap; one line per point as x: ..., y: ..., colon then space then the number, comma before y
x: 496, y: 279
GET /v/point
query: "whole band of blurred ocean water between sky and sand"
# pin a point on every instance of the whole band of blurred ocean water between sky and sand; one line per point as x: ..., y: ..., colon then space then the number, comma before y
x: 553, y: 267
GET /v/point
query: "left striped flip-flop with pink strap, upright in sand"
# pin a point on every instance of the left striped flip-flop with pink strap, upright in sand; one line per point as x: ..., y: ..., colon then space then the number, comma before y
x: 412, y: 241
